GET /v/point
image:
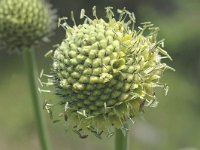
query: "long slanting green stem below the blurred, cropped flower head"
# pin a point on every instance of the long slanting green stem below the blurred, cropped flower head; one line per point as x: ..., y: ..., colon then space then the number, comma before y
x: 29, y: 60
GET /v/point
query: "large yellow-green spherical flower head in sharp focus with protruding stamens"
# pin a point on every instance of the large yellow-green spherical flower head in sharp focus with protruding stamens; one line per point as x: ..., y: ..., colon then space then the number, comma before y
x: 105, y: 71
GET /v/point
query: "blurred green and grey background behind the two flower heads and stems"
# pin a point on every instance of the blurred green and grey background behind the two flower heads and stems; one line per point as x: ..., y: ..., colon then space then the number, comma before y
x: 173, y: 125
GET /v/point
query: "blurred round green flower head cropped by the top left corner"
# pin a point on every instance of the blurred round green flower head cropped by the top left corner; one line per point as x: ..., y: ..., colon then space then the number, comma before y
x: 23, y: 23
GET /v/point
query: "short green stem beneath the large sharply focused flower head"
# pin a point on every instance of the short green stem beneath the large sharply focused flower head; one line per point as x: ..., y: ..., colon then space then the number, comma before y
x: 121, y: 140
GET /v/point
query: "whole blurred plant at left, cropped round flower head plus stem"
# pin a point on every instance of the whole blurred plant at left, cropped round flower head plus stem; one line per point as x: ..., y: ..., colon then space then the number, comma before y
x: 23, y: 23
